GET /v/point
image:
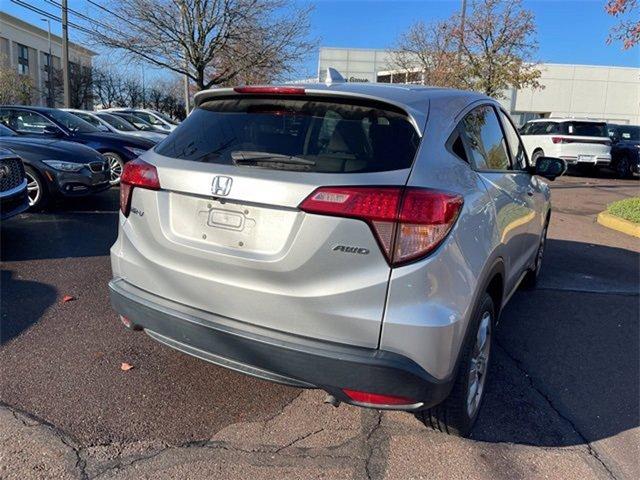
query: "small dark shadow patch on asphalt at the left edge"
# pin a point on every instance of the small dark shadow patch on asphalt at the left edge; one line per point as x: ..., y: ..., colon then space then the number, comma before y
x: 23, y: 304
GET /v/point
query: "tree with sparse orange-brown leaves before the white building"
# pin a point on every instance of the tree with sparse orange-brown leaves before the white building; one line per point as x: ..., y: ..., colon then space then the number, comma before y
x: 492, y: 52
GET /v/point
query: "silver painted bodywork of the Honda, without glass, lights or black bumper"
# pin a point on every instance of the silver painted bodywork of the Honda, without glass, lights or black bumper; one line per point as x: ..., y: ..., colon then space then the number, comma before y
x: 253, y: 256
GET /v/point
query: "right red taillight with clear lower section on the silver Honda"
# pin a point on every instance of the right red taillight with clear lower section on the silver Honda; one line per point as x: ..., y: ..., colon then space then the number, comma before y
x: 407, y: 222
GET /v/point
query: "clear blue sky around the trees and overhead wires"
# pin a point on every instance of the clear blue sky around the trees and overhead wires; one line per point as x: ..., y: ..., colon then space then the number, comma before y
x: 568, y: 31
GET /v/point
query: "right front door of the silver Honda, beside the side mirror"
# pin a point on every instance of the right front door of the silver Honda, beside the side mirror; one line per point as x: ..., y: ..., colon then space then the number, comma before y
x: 535, y: 189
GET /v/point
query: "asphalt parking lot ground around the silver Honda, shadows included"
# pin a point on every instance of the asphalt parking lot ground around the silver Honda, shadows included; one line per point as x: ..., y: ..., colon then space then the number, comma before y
x: 563, y: 400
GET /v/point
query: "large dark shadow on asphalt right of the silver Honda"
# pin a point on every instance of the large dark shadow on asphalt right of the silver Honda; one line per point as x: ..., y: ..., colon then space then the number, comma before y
x: 576, y: 344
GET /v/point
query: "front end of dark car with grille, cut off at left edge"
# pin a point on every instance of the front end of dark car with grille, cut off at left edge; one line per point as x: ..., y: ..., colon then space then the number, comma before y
x: 13, y: 185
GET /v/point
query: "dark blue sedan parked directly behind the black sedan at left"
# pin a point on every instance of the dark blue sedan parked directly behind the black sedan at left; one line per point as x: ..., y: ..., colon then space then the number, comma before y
x: 52, y: 123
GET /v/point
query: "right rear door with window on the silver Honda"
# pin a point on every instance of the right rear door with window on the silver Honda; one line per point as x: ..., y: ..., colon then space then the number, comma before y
x: 507, y: 187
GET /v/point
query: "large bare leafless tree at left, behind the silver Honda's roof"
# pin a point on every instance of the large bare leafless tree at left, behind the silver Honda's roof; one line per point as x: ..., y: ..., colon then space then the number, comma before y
x: 213, y: 42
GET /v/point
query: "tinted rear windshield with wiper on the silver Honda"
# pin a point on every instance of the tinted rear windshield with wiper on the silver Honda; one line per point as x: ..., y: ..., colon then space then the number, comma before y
x: 301, y: 134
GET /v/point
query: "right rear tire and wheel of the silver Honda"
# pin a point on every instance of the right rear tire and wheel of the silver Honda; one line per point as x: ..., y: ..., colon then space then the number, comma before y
x: 458, y: 413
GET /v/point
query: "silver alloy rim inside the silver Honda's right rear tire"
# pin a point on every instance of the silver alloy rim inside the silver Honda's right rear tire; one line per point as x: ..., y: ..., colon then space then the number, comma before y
x: 479, y: 364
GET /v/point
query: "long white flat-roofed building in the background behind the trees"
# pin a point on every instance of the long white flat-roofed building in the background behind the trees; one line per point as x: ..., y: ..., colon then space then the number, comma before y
x: 581, y: 91
